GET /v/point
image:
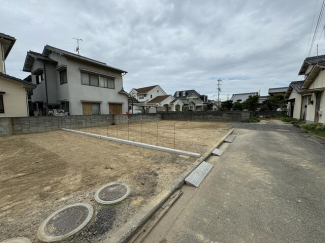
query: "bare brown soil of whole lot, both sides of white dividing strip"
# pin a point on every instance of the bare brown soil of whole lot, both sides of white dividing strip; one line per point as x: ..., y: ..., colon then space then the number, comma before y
x: 43, y: 172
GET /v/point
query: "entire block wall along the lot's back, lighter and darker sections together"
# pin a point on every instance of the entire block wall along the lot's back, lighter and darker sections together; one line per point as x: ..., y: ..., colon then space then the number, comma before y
x: 25, y: 125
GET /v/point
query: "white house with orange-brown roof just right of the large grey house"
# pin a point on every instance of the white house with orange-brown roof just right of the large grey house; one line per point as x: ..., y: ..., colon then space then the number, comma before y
x: 143, y: 95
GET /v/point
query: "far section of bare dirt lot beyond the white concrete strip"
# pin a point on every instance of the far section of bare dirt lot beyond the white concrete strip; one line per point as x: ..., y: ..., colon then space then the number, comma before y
x: 189, y: 136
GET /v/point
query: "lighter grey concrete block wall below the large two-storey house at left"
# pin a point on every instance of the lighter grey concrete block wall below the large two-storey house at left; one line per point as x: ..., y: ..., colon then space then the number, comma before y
x: 26, y: 125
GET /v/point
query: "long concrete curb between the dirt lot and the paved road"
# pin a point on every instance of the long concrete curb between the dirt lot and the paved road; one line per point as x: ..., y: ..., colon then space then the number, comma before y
x: 130, y: 228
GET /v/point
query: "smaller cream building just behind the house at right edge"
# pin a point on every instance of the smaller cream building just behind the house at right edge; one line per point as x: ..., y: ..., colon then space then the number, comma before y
x: 293, y: 96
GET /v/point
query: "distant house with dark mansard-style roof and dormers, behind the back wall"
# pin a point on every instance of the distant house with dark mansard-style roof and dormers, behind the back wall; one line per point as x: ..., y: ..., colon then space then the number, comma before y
x: 191, y: 99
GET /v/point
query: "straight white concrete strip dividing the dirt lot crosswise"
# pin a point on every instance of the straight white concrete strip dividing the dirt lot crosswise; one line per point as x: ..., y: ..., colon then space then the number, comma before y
x: 143, y: 145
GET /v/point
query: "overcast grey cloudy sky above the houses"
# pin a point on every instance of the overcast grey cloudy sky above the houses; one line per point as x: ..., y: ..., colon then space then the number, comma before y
x: 178, y: 44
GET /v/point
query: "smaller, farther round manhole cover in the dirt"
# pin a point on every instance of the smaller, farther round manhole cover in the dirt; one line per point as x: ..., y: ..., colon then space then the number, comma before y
x: 112, y: 193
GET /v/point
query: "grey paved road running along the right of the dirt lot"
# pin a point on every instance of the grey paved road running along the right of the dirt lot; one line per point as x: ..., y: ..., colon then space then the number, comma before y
x: 269, y: 186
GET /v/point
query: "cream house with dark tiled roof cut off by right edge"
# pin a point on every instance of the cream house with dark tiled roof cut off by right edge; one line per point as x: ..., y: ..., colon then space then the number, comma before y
x: 313, y: 89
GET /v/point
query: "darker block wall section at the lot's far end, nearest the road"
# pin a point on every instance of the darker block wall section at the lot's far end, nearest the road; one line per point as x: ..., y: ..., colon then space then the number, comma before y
x: 207, y: 116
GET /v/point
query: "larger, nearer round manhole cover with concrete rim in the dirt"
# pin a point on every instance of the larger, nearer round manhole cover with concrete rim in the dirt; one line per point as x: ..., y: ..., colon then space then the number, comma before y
x: 65, y: 222
